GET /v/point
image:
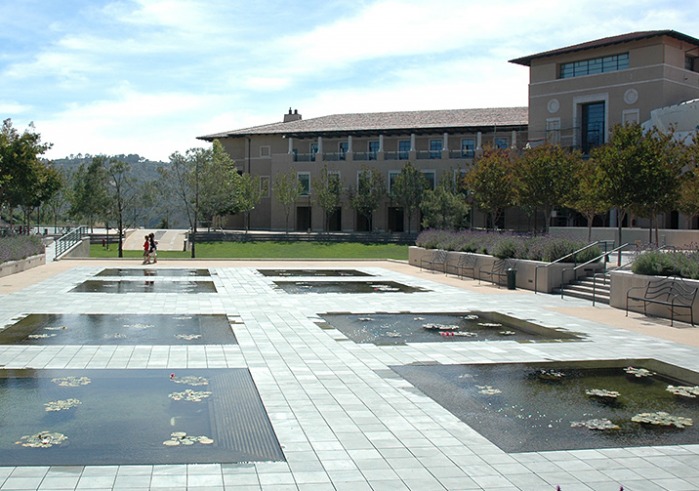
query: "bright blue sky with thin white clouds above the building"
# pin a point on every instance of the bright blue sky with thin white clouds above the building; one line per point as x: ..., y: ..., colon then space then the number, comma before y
x: 149, y: 76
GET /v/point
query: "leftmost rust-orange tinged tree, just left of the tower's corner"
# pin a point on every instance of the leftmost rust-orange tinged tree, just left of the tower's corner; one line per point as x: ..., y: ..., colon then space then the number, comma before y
x: 490, y: 183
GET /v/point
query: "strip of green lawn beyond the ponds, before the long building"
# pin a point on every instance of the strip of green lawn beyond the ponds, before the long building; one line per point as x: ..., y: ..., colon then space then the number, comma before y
x: 272, y: 250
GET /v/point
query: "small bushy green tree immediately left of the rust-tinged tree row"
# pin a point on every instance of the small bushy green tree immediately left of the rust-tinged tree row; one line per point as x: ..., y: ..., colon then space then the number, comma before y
x: 444, y: 207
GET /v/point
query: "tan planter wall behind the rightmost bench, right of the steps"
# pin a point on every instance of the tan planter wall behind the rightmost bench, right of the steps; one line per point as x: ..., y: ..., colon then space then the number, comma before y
x: 622, y: 281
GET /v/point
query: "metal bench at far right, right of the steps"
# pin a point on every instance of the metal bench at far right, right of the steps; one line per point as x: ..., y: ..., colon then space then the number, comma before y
x: 671, y: 292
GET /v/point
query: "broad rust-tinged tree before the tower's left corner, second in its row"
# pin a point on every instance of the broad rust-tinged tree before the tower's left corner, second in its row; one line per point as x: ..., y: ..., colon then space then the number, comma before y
x: 544, y: 178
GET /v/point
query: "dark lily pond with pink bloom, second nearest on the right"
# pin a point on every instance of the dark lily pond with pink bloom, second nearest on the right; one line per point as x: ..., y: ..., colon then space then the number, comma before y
x: 400, y: 328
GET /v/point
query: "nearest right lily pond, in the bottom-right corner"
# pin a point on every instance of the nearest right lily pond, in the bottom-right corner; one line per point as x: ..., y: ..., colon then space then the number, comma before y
x: 566, y: 406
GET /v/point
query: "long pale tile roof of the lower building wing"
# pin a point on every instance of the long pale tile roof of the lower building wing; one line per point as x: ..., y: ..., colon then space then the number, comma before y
x: 387, y: 122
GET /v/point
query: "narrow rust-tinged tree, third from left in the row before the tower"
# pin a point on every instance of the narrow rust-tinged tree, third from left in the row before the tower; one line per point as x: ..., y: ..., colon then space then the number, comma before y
x: 588, y: 195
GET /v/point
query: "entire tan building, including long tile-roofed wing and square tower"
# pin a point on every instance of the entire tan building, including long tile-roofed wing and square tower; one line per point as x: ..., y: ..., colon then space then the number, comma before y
x: 576, y: 95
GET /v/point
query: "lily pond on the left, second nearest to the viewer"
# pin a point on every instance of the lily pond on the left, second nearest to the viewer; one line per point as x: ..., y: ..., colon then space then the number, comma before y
x: 123, y: 329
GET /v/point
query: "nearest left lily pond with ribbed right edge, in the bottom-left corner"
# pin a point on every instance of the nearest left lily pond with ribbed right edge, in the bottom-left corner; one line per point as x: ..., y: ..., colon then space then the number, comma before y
x: 110, y: 417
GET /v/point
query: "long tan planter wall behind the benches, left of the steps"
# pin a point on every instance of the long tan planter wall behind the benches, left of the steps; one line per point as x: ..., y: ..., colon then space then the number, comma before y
x: 548, y: 276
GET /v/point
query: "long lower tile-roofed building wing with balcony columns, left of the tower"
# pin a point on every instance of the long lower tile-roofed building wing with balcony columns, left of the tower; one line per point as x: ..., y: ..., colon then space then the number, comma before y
x: 437, y: 142
